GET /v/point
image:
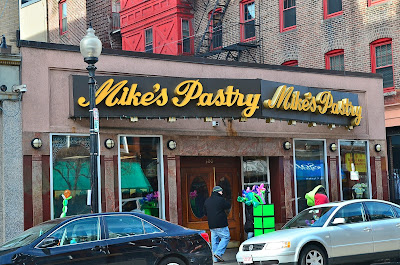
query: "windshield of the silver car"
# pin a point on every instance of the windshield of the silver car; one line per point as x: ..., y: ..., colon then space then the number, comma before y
x: 312, y: 217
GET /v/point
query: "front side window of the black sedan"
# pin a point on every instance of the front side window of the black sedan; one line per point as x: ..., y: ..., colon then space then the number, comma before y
x: 79, y: 231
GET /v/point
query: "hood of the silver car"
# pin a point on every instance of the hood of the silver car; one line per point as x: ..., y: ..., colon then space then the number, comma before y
x: 285, y: 235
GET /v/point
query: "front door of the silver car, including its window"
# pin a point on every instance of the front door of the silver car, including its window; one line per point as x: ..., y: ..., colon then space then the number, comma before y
x: 354, y: 237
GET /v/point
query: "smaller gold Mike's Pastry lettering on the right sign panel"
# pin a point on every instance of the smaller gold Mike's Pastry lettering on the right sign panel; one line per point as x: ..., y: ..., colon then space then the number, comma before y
x: 287, y: 99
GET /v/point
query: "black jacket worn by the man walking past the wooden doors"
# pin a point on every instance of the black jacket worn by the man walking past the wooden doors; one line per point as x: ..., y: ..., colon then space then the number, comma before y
x: 214, y: 209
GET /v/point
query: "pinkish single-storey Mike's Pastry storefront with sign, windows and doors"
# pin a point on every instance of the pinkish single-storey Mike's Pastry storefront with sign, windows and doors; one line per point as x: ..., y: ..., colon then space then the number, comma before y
x: 180, y: 126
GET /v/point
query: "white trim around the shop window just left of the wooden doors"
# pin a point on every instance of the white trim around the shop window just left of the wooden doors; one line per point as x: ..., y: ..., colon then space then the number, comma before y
x: 160, y: 172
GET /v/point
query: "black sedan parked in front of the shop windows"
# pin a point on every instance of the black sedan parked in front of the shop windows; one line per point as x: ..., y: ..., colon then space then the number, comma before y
x: 108, y: 238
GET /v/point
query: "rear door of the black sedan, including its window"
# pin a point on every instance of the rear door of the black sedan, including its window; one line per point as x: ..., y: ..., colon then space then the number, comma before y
x: 132, y: 240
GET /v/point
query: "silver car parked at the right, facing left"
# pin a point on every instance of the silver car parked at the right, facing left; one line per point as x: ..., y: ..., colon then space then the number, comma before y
x: 348, y: 232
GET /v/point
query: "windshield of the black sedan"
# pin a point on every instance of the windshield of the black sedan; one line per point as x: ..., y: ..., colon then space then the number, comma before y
x: 28, y: 236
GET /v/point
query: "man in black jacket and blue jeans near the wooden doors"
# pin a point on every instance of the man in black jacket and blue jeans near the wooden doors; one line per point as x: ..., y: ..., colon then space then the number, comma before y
x: 214, y: 209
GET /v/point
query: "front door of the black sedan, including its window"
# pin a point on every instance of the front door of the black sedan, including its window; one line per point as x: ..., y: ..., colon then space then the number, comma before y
x: 79, y: 243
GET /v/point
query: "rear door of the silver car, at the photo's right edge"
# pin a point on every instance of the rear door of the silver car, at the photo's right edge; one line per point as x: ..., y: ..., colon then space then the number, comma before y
x: 385, y: 229
